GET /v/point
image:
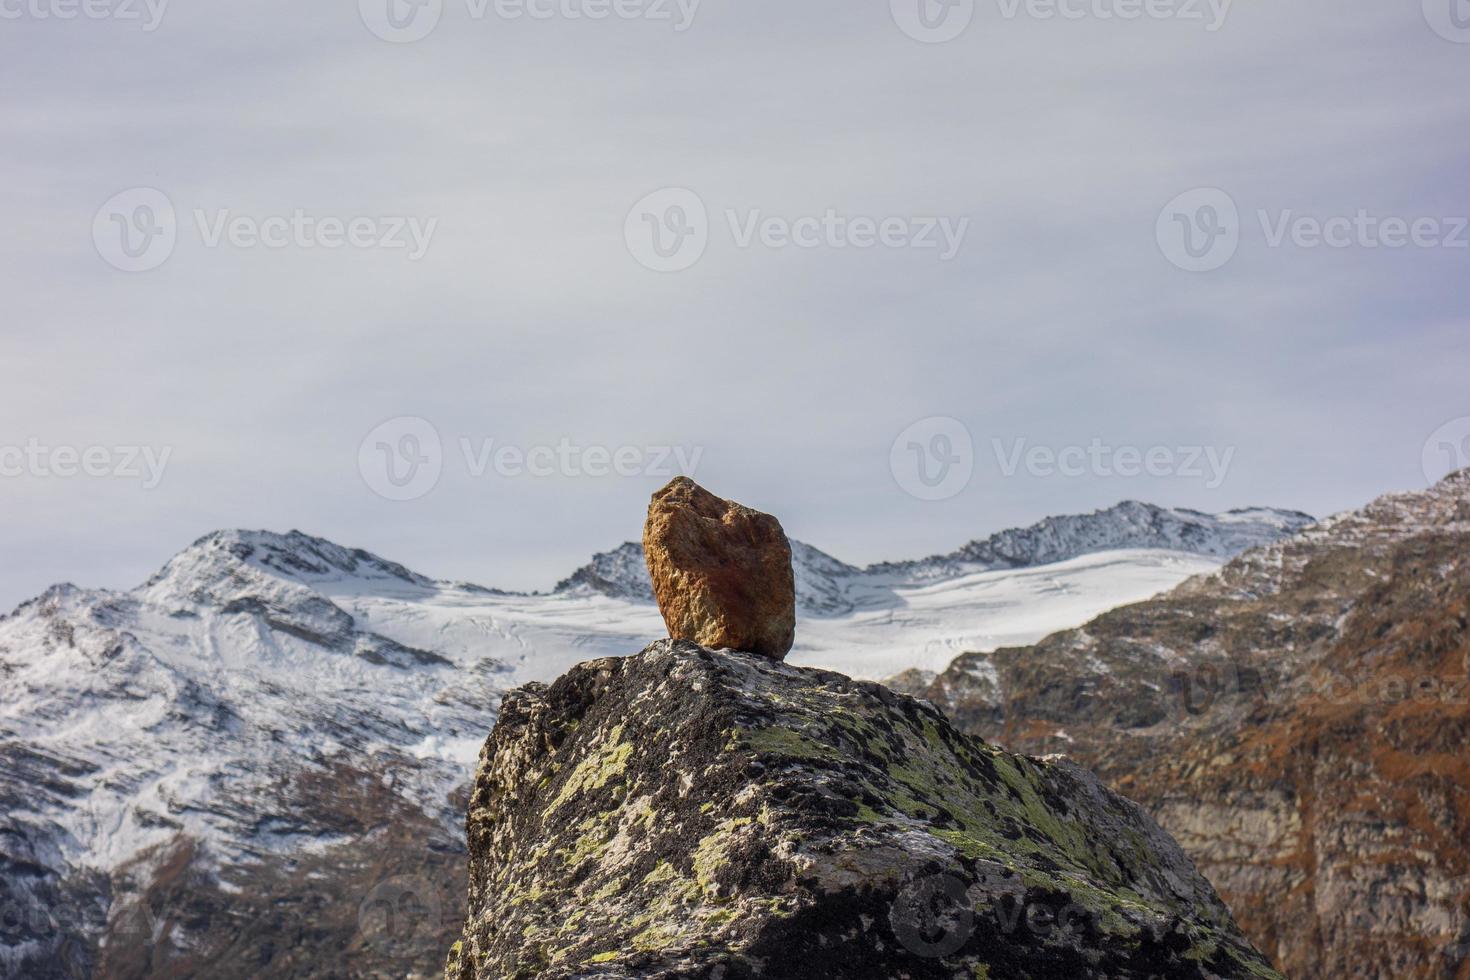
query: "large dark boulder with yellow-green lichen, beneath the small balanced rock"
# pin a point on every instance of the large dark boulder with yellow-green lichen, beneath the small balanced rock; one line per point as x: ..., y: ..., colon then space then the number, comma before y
x: 695, y: 813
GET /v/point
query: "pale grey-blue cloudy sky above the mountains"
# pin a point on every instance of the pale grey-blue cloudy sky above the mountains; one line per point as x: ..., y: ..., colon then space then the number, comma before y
x: 465, y: 283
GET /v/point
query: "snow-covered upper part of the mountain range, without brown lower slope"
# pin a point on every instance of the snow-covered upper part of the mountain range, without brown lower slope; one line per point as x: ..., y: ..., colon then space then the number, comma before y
x: 204, y: 705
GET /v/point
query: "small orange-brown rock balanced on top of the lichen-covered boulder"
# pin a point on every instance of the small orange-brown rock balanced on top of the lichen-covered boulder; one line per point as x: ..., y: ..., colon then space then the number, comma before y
x: 721, y: 572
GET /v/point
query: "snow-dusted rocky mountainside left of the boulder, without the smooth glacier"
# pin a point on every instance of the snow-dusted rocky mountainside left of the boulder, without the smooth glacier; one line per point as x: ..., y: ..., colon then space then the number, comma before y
x: 189, y: 766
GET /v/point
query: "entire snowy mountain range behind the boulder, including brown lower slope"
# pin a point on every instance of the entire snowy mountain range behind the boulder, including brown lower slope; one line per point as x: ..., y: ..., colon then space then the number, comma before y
x: 242, y: 729
